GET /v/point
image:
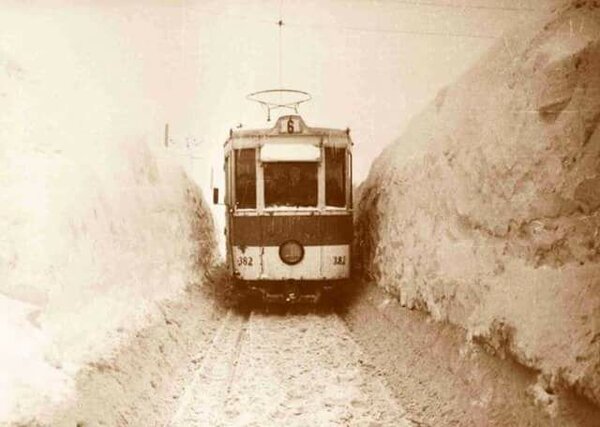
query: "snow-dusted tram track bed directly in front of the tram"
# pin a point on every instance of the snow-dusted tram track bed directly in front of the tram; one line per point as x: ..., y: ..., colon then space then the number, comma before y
x: 266, y: 369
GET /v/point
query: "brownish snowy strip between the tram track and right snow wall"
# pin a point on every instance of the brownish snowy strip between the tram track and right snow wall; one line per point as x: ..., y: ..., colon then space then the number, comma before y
x: 442, y: 379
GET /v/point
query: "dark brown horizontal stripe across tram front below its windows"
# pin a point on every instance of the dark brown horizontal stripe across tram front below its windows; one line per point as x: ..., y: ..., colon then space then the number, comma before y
x: 309, y: 230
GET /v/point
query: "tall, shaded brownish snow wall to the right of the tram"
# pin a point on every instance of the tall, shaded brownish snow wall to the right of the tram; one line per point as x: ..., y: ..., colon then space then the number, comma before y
x: 486, y: 211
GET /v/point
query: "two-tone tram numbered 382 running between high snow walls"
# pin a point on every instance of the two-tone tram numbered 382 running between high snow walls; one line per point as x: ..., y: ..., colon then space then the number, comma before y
x: 288, y: 197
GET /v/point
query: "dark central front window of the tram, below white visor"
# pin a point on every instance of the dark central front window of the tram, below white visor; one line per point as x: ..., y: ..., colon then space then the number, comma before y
x: 291, y: 184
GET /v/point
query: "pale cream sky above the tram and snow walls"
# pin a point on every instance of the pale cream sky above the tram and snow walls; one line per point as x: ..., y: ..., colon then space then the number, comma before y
x: 132, y: 67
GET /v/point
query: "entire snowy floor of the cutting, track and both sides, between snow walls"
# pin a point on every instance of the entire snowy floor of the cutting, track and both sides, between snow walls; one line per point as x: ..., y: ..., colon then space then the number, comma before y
x: 370, y: 362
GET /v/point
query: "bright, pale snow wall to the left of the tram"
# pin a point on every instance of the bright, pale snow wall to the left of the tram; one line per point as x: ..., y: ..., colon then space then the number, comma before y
x: 97, y: 226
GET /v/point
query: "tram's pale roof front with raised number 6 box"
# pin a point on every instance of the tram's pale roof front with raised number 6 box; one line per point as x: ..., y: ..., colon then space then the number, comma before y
x: 250, y: 138
